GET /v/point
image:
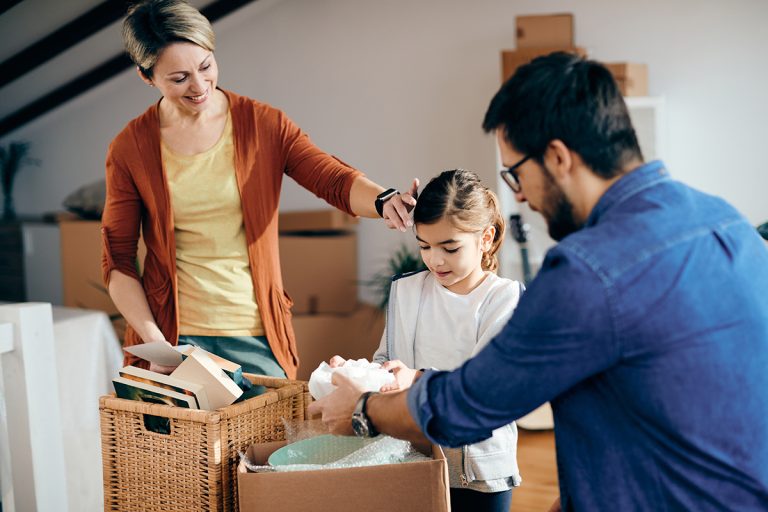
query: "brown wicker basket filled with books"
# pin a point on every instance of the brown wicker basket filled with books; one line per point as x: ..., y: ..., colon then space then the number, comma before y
x: 193, y: 466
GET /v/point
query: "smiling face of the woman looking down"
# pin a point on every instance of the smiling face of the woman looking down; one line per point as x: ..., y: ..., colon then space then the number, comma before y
x: 186, y: 75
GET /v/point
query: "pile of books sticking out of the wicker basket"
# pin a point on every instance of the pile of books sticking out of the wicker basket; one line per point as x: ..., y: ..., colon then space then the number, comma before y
x: 201, y: 380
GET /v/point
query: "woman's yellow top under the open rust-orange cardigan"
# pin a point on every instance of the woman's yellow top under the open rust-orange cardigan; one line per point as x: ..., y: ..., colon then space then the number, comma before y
x: 216, y: 296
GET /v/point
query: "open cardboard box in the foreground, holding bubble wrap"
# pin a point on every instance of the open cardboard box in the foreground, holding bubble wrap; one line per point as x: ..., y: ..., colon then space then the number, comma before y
x: 408, y: 487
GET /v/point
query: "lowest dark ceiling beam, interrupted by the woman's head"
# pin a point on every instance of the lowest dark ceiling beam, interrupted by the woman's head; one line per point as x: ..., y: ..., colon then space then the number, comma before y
x: 97, y: 75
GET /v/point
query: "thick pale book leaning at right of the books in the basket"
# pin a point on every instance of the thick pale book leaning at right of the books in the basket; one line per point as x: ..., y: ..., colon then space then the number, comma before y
x: 198, y: 367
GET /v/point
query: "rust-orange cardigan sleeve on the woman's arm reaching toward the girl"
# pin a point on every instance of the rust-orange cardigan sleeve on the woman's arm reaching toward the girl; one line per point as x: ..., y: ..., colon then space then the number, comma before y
x: 322, y: 174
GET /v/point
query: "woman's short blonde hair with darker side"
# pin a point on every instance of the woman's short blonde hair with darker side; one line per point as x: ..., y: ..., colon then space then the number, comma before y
x: 152, y: 25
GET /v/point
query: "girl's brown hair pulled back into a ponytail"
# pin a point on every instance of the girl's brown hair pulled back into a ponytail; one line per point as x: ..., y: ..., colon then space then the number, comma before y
x: 459, y: 196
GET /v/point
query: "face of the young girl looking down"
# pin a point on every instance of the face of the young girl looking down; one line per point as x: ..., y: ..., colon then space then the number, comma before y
x: 454, y: 256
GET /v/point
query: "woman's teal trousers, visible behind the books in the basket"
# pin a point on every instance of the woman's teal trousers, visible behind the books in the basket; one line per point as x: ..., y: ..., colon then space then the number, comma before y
x: 252, y: 353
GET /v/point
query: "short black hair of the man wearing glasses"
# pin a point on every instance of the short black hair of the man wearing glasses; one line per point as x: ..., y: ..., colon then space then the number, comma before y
x: 563, y: 96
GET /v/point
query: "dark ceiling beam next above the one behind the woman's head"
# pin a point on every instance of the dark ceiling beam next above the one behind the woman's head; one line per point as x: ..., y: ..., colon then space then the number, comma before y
x: 62, y: 39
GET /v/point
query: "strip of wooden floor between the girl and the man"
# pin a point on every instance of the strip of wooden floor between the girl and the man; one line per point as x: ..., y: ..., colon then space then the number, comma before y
x: 536, y: 458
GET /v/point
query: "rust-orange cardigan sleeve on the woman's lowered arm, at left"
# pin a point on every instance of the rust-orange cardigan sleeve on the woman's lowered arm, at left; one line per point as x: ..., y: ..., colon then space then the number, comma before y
x: 120, y: 222
